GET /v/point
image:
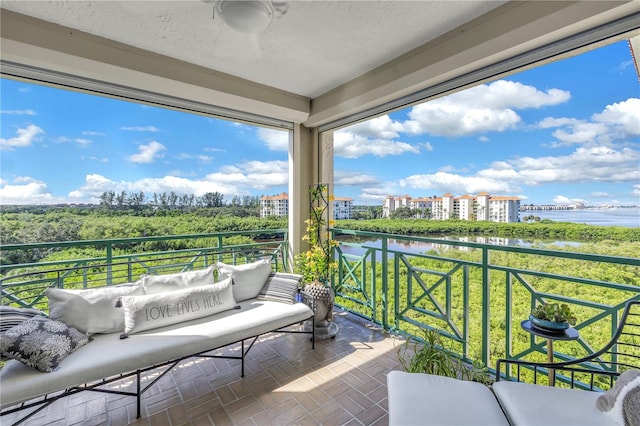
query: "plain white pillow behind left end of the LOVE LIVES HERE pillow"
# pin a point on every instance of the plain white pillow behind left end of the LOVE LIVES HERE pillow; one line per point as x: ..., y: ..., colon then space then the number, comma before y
x: 92, y: 310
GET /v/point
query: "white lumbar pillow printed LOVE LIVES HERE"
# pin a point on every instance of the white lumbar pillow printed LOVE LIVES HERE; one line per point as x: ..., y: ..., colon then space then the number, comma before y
x: 157, y: 310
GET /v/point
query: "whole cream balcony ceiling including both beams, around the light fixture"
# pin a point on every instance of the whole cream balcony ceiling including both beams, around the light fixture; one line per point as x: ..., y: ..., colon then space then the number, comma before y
x: 320, y: 61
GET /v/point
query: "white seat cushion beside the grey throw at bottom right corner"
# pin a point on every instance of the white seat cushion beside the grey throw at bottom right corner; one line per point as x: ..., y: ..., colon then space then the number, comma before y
x: 529, y: 404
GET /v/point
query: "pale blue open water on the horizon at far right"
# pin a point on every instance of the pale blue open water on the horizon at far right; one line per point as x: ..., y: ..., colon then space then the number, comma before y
x: 629, y: 217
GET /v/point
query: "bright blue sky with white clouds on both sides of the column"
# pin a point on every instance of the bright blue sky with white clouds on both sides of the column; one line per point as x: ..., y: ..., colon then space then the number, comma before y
x: 564, y: 132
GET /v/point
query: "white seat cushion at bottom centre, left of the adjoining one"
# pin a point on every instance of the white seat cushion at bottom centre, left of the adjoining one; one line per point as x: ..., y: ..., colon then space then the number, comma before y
x: 425, y: 399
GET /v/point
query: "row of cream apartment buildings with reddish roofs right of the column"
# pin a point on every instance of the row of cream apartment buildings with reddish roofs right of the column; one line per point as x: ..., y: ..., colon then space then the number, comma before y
x: 482, y: 206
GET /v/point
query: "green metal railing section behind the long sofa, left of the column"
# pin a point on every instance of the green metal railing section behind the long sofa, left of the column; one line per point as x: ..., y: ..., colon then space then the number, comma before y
x: 108, y: 262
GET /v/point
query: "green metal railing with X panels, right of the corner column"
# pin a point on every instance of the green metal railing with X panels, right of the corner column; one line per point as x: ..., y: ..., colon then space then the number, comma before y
x: 476, y: 294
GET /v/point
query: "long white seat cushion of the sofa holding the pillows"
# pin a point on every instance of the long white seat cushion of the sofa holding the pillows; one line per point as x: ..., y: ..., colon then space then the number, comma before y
x: 107, y: 355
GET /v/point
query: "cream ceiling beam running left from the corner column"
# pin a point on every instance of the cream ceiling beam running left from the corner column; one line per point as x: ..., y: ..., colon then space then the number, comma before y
x: 41, y: 44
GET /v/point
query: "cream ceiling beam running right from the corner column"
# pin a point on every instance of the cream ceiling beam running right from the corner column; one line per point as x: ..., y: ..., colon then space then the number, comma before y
x: 512, y: 29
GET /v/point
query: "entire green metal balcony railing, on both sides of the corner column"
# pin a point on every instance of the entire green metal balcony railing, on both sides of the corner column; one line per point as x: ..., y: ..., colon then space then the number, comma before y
x: 474, y: 294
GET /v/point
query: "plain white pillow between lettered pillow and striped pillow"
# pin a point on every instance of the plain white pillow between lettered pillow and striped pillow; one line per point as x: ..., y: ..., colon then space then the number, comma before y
x: 248, y: 279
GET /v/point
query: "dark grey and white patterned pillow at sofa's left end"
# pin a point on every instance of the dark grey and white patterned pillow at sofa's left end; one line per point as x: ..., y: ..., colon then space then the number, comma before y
x: 41, y: 343
